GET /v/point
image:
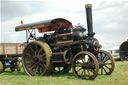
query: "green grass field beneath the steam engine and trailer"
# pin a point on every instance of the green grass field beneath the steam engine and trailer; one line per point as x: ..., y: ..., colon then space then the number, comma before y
x: 118, y: 77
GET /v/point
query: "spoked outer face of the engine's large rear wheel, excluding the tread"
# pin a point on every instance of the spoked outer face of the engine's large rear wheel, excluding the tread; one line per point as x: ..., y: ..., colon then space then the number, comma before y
x: 35, y: 59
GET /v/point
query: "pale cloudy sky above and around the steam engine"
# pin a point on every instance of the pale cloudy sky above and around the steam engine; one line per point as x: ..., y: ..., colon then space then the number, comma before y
x: 110, y: 17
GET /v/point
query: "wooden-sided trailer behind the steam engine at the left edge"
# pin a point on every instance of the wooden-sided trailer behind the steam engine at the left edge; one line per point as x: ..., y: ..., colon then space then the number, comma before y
x: 9, y: 56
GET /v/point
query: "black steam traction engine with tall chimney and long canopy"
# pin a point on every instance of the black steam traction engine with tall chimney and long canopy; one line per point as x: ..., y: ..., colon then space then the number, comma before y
x: 64, y: 48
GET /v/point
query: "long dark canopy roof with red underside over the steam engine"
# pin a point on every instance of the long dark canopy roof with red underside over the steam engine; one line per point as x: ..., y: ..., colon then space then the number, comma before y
x: 45, y: 26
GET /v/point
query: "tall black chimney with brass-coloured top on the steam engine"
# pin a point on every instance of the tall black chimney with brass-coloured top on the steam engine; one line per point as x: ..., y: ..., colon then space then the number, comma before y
x: 89, y: 20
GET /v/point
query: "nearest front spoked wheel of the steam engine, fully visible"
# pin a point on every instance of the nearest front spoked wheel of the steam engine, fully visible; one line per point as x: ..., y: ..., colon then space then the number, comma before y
x: 85, y: 66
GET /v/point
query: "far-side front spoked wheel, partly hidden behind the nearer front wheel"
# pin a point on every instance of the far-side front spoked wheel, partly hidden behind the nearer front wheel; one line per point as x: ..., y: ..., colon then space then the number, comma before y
x: 106, y: 63
